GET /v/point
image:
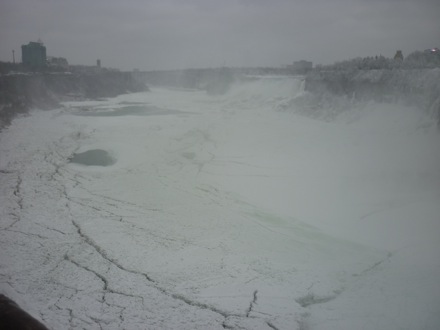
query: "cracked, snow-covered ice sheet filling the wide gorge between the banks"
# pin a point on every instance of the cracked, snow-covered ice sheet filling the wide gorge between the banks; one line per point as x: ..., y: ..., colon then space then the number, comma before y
x: 212, y: 212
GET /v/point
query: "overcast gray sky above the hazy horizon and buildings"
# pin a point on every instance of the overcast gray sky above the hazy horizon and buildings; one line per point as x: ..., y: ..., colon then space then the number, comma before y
x: 173, y: 34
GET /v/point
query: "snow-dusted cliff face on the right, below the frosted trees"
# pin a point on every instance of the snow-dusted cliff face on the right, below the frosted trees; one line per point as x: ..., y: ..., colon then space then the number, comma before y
x: 416, y: 87
